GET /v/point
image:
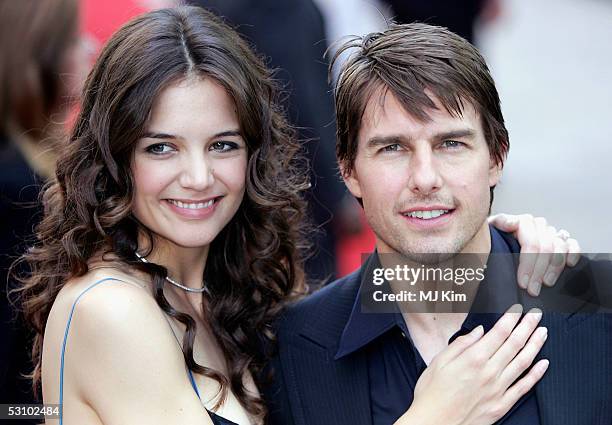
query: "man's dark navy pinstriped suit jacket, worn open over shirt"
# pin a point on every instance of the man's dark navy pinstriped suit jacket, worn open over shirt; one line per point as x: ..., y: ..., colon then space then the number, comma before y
x: 311, y: 388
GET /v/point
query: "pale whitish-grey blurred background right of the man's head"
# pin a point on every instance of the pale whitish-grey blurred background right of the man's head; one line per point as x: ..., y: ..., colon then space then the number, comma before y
x: 551, y: 60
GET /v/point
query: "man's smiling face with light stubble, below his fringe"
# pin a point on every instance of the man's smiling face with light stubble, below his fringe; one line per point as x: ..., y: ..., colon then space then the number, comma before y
x: 424, y: 185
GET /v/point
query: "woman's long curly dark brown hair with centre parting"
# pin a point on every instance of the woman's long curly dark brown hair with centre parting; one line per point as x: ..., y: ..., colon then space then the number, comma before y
x: 254, y: 264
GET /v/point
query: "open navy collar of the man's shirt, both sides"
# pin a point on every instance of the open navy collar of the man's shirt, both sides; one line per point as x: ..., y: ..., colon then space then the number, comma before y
x: 496, y: 292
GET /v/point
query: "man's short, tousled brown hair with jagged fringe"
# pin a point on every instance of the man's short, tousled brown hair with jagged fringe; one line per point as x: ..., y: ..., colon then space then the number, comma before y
x: 408, y: 60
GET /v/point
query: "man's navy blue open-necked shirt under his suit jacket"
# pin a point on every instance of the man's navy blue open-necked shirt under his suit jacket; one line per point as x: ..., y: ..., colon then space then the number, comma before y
x: 394, y: 363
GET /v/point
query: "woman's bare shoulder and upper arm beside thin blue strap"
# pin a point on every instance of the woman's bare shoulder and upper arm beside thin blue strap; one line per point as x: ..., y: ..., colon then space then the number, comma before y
x: 130, y: 366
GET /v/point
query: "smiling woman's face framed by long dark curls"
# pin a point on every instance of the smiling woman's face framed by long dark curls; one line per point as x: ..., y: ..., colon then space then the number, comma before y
x: 189, y: 167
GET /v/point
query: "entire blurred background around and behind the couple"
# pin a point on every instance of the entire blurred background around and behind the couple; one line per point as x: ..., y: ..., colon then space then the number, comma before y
x: 551, y: 60
